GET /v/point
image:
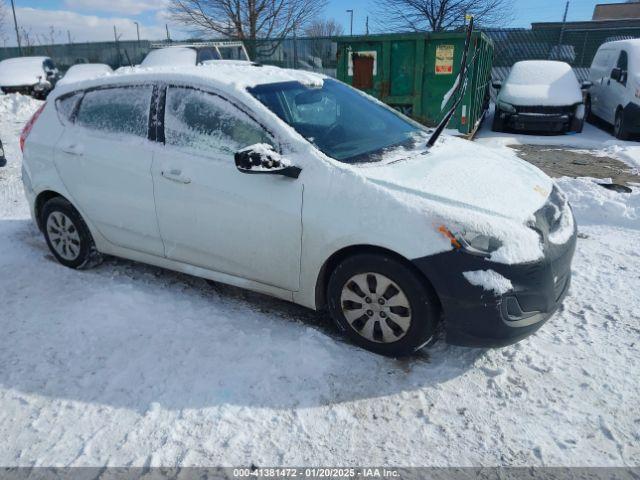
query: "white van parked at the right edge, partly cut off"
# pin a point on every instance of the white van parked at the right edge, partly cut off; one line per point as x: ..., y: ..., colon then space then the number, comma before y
x: 615, y: 94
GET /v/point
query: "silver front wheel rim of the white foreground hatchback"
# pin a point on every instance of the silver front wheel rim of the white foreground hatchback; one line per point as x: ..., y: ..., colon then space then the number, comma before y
x: 376, y: 307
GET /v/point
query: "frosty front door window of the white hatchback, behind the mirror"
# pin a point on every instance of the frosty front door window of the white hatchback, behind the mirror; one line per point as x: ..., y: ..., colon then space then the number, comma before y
x: 206, y: 124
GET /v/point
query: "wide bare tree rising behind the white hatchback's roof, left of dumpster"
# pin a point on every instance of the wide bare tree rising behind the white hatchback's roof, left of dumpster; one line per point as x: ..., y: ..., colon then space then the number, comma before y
x: 246, y: 19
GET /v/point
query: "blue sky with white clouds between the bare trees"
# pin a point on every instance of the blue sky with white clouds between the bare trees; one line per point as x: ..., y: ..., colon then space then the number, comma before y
x: 93, y: 20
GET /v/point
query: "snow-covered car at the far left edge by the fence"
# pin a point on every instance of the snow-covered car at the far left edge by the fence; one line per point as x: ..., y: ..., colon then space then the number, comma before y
x: 35, y: 76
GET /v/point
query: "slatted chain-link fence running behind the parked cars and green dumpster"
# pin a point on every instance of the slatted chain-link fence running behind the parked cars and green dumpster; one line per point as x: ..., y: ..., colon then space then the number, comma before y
x: 574, y: 46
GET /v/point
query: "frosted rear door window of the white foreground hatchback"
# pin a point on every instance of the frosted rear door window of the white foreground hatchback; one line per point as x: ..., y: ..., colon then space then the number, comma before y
x: 119, y: 110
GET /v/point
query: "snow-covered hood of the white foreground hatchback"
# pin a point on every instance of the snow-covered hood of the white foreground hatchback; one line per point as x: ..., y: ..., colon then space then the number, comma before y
x: 463, y: 174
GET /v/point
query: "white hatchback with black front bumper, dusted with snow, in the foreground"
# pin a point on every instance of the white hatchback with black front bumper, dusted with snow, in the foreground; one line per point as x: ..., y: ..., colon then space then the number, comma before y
x: 298, y: 186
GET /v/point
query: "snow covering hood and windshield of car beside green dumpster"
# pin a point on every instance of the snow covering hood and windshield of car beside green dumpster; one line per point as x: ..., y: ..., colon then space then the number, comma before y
x: 541, y: 82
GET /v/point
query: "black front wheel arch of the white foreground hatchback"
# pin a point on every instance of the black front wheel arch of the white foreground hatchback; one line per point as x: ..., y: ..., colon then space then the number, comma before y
x: 337, y: 257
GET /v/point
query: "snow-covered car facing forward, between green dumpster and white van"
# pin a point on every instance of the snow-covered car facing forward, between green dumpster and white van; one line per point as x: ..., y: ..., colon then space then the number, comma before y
x: 540, y: 96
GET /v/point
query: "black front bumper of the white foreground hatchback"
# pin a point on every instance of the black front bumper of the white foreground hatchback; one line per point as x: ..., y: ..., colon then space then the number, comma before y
x: 476, y: 317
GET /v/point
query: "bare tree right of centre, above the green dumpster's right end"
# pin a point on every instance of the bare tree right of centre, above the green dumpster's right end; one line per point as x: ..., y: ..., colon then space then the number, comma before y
x: 439, y: 15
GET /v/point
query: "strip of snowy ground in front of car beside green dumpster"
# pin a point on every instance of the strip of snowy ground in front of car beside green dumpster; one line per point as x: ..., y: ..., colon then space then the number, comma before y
x: 593, y: 138
